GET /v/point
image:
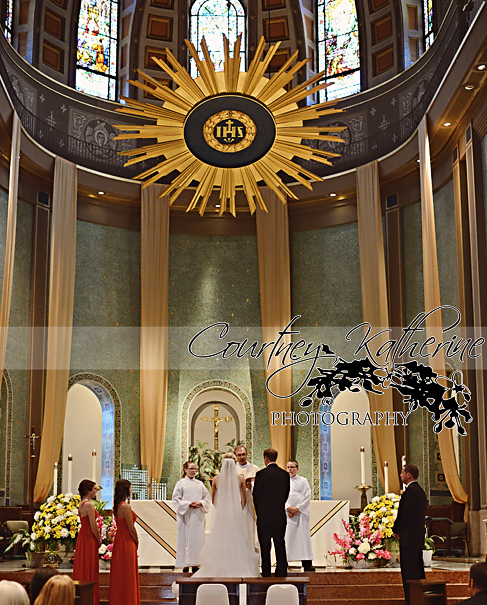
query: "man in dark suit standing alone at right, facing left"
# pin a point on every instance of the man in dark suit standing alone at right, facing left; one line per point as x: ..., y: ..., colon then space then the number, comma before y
x: 409, y: 527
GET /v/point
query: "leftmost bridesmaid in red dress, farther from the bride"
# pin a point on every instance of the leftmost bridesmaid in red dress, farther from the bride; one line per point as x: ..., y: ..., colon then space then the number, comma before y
x: 86, y: 563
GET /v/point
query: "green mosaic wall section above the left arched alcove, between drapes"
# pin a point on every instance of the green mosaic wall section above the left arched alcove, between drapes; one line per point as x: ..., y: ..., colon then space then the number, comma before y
x: 107, y: 318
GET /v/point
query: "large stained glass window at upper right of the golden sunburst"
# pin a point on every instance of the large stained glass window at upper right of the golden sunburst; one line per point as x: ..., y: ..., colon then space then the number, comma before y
x: 338, y: 47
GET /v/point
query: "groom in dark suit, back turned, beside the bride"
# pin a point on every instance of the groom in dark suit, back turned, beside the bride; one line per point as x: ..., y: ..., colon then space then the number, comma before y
x: 271, y: 490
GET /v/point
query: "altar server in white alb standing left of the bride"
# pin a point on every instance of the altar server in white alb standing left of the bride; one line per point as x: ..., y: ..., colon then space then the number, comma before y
x: 192, y: 501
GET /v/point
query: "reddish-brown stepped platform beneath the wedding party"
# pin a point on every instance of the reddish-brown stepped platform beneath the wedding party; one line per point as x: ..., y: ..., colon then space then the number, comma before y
x: 326, y: 587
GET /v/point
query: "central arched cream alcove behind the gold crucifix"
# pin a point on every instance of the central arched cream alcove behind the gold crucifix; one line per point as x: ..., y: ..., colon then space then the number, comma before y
x: 201, y: 400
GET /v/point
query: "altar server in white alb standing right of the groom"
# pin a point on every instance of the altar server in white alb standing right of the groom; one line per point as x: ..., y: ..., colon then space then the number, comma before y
x: 298, y: 540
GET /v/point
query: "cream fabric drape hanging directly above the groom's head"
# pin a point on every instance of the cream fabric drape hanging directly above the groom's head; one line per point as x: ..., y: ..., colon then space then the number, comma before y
x: 275, y: 303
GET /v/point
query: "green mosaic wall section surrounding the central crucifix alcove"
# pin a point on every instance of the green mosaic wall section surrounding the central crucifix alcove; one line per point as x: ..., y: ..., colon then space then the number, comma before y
x: 211, y: 279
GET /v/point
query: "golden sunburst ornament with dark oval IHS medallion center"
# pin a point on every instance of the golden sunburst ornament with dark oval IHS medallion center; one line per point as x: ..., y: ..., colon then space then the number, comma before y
x: 229, y: 130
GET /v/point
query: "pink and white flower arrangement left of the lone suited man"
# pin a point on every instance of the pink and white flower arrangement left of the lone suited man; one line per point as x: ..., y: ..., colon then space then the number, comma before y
x: 360, y: 542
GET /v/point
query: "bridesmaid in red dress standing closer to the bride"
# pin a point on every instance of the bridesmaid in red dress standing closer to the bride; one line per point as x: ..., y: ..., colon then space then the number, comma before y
x: 124, y: 571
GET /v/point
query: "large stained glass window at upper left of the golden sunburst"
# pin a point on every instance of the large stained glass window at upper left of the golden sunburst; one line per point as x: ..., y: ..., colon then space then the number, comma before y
x: 96, y: 64
